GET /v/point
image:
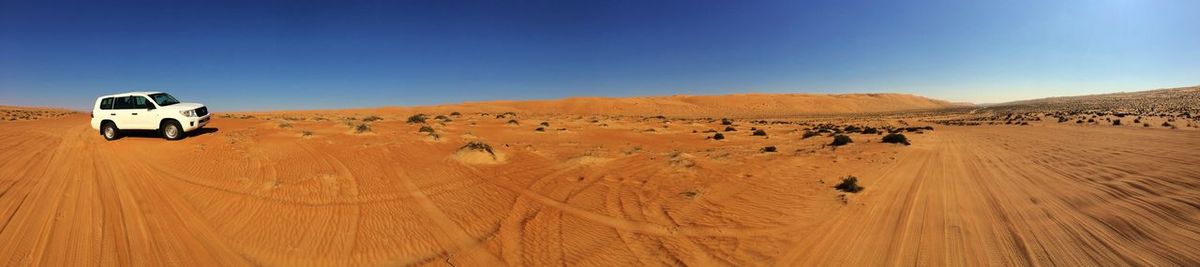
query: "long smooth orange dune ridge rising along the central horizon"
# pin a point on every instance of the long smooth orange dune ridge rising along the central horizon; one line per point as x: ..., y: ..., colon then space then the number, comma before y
x: 739, y: 105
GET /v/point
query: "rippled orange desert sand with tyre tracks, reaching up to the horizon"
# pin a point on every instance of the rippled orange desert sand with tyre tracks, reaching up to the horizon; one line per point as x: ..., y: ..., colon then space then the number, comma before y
x: 615, y: 182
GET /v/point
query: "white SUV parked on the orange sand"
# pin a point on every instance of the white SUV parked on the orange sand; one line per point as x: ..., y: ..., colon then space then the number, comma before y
x: 147, y: 111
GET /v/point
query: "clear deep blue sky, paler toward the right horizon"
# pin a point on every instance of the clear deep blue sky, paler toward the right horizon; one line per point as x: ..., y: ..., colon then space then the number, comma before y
x: 253, y: 56
